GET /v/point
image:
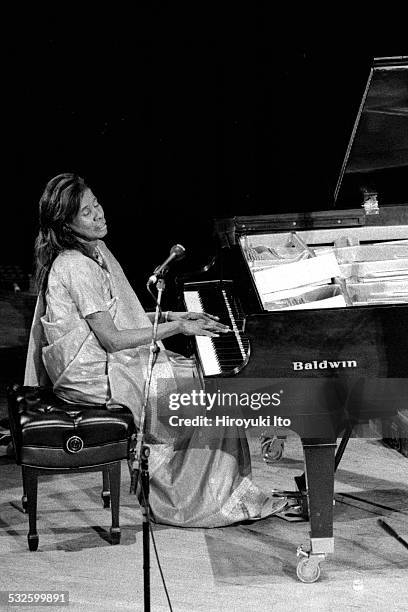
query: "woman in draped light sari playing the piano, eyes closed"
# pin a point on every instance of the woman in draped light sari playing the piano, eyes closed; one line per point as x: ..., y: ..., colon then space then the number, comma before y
x: 90, y: 339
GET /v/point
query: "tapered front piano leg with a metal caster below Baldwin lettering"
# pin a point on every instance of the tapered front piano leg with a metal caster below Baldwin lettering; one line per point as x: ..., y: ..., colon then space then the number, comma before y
x: 319, y: 464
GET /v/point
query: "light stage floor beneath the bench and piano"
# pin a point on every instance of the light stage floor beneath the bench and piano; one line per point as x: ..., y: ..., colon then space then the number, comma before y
x: 239, y: 568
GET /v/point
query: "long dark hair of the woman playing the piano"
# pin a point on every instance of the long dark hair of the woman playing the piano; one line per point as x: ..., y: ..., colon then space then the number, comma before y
x: 59, y: 204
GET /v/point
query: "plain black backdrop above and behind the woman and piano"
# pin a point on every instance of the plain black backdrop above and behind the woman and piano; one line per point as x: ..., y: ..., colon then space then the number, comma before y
x: 176, y: 116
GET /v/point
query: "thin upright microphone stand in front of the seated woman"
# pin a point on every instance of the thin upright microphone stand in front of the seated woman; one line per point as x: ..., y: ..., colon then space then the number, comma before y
x: 139, y: 453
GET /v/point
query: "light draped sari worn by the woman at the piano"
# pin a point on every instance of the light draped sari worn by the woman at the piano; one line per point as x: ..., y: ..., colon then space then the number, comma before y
x: 198, y: 479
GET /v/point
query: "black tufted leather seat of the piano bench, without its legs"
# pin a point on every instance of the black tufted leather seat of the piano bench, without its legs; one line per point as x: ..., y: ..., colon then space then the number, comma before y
x: 50, y: 433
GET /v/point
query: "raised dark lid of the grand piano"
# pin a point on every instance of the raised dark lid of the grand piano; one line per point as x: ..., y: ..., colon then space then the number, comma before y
x: 376, y: 160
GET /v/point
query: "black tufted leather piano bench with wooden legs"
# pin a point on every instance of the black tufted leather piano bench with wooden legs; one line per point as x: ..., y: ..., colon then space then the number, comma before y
x: 53, y: 437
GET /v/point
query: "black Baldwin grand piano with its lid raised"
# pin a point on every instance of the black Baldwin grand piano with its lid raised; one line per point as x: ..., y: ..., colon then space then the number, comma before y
x: 318, y: 302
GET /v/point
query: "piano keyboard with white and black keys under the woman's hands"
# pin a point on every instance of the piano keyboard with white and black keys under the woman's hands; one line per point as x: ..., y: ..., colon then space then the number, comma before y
x: 227, y: 354
